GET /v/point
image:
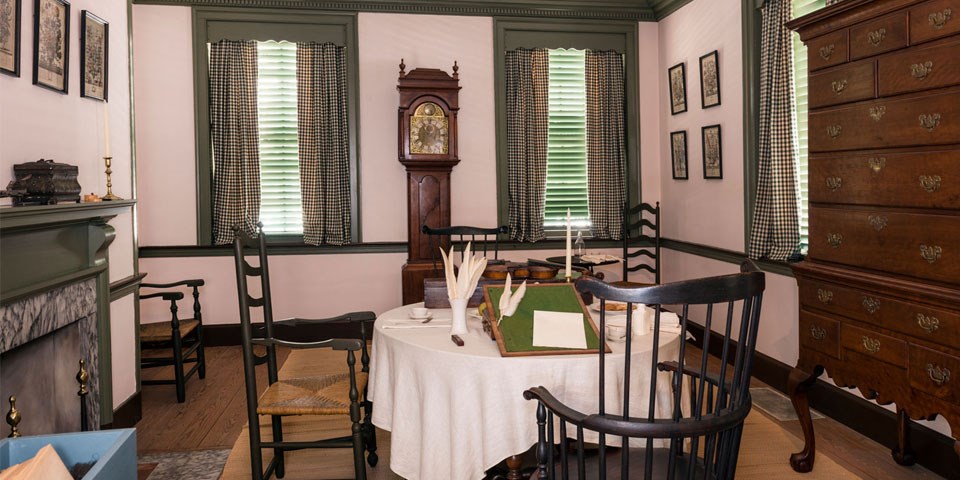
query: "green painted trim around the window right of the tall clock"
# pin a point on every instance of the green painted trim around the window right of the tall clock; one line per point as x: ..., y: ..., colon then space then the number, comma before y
x: 512, y: 33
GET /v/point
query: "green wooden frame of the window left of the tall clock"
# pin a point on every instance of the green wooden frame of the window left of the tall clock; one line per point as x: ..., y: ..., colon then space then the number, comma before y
x: 212, y: 24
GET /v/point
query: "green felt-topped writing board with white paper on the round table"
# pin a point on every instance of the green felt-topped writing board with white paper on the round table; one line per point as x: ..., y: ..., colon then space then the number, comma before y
x: 517, y: 330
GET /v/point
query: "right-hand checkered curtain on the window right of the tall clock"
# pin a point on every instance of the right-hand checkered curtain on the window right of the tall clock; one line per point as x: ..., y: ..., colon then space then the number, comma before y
x: 606, y: 192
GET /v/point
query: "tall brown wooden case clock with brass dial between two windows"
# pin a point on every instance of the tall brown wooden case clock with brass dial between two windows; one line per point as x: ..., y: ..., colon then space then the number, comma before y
x: 427, y: 143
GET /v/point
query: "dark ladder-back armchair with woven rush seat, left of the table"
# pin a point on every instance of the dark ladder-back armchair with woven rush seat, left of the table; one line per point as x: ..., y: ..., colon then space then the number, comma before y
x: 333, y: 394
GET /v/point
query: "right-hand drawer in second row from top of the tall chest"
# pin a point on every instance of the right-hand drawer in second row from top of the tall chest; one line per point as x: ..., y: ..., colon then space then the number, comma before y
x: 921, y: 68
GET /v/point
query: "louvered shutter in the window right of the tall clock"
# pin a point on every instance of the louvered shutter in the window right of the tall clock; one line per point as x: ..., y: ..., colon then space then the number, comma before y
x: 567, y: 146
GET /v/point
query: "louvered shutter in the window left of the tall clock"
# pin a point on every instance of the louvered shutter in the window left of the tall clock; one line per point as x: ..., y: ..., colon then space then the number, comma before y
x: 280, y: 205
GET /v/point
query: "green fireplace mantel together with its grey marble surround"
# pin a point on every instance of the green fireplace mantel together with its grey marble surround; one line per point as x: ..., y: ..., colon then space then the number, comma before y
x: 54, y: 271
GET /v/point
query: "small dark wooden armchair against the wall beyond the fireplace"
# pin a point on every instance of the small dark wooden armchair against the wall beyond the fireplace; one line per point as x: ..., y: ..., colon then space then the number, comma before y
x: 182, y: 337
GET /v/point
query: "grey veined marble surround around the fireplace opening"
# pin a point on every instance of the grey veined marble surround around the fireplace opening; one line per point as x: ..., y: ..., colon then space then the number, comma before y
x: 26, y: 320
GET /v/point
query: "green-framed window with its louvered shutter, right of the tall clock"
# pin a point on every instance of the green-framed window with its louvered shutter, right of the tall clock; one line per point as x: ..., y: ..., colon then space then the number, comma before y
x: 567, y: 43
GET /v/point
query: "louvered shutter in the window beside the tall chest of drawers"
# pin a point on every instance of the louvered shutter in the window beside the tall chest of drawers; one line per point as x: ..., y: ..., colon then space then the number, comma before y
x: 801, y: 8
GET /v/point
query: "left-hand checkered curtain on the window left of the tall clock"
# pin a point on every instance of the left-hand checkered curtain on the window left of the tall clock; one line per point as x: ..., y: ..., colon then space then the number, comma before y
x: 234, y: 138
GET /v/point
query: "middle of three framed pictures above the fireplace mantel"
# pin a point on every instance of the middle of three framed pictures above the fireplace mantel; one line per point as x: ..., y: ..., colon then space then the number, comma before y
x: 51, y: 44
